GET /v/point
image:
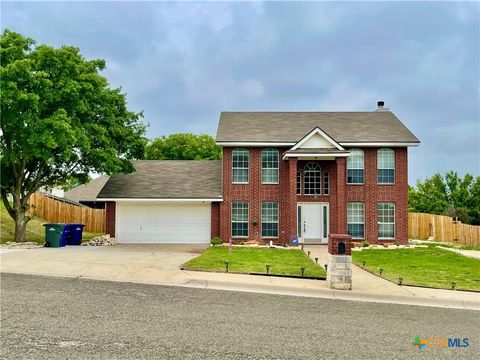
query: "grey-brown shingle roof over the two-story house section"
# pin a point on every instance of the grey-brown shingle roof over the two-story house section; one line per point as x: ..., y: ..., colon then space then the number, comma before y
x: 343, y: 127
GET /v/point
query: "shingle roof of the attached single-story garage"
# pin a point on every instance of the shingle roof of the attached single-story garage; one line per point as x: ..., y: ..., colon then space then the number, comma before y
x: 167, y: 179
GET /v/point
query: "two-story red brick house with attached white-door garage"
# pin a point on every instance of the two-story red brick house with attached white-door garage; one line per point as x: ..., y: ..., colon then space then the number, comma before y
x: 283, y: 175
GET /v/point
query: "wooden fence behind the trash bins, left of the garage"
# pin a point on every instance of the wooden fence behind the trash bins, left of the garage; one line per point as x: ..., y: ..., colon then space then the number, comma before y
x: 57, y: 211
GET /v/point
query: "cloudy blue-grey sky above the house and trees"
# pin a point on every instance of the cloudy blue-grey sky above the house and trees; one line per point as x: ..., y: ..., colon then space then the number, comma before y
x: 184, y: 63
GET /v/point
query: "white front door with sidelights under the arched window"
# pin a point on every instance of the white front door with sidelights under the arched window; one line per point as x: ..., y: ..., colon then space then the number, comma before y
x: 313, y: 223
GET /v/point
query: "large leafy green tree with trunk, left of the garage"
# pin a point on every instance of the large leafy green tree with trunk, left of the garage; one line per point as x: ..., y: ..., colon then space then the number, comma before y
x: 60, y: 120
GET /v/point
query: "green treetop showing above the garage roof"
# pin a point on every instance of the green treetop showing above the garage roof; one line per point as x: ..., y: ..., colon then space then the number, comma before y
x: 183, y: 147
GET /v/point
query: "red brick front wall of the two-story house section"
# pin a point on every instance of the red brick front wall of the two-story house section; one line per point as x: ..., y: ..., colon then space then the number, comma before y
x: 340, y: 193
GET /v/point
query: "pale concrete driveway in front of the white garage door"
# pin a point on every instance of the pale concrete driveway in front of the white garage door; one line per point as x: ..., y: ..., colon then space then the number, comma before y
x: 131, y: 263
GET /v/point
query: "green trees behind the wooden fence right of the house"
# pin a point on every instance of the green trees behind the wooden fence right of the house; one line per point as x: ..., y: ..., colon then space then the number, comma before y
x: 450, y: 195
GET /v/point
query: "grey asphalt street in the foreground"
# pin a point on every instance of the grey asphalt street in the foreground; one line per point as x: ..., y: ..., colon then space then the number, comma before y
x: 58, y: 318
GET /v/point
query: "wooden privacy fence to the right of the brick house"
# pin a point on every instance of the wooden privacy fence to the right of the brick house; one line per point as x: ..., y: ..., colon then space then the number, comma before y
x: 442, y: 228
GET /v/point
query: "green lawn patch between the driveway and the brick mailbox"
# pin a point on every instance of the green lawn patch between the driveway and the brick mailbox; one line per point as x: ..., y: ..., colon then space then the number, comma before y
x: 253, y: 260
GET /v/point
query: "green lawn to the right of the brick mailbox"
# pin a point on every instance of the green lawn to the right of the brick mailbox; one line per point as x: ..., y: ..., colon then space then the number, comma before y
x: 430, y: 267
